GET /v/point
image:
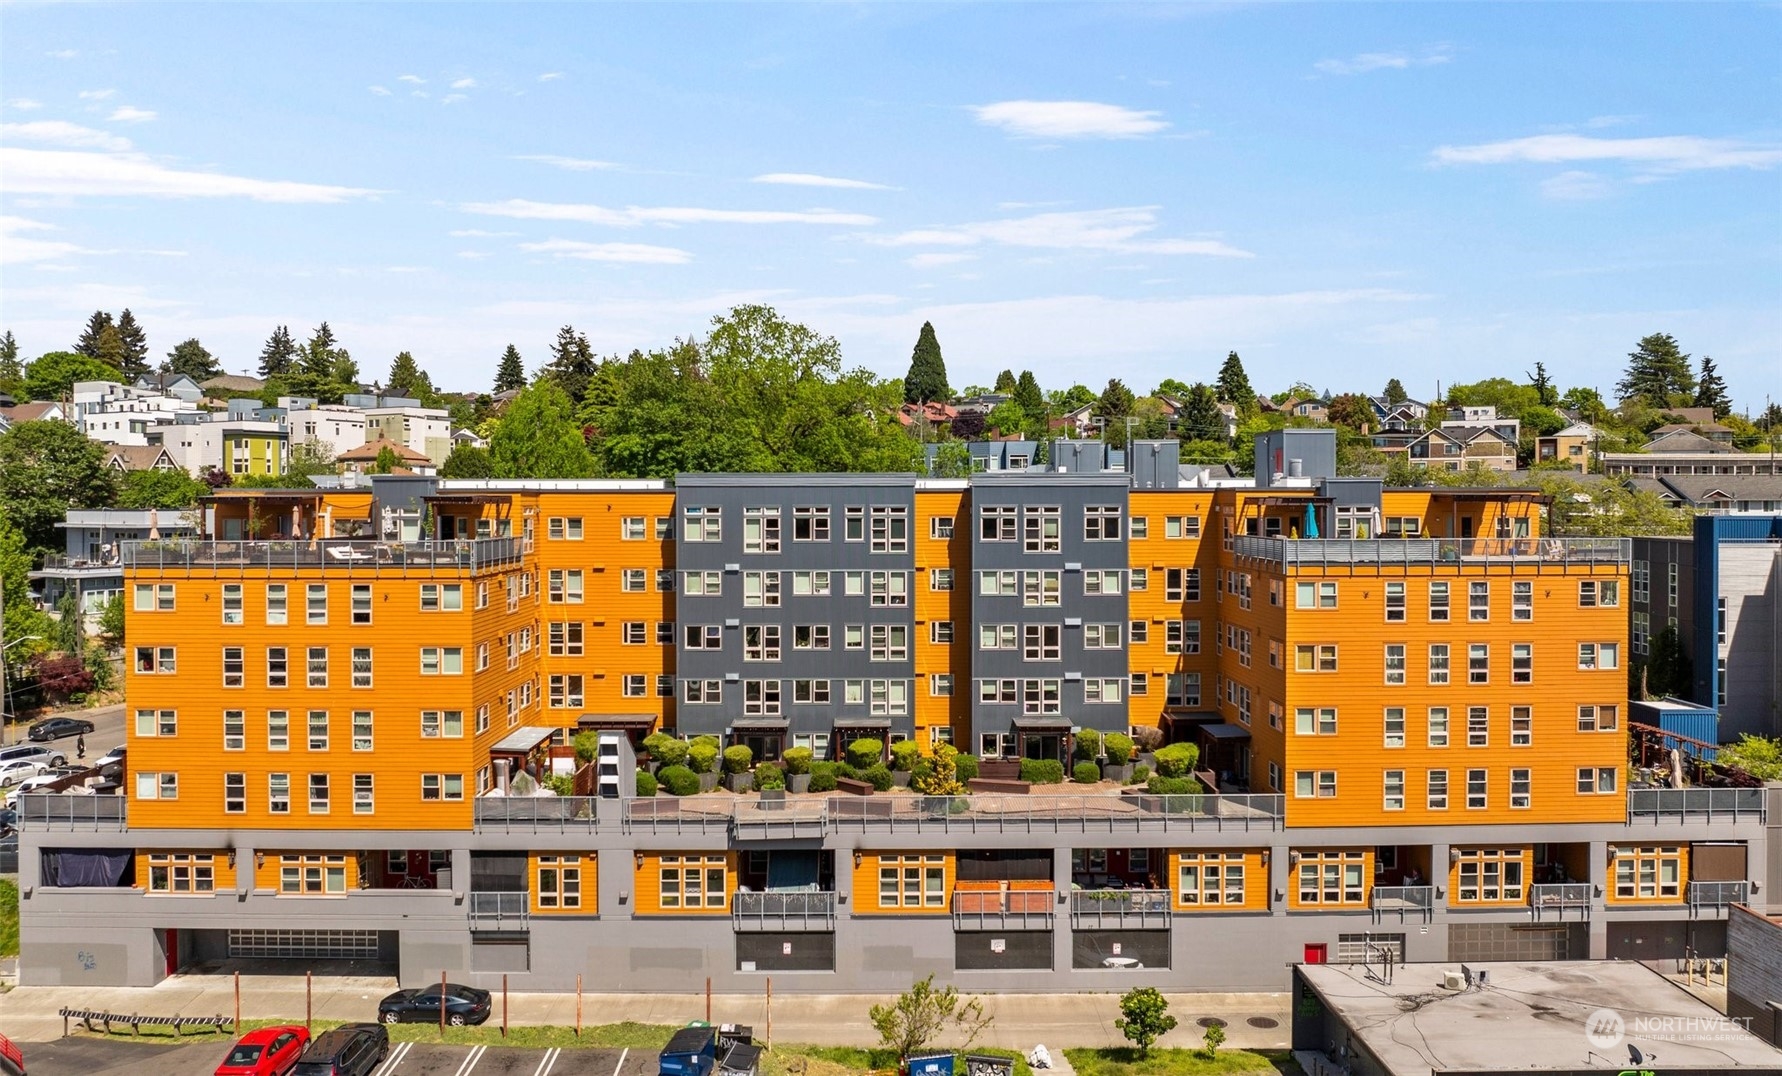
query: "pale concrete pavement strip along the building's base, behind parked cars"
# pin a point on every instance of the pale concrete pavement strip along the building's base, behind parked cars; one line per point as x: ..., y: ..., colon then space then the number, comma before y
x: 29, y: 1015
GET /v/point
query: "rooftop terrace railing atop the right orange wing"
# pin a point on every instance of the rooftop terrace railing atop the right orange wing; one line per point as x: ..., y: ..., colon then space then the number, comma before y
x: 1539, y: 555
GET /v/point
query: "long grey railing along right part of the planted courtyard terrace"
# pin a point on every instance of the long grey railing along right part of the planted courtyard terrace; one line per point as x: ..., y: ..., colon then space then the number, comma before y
x: 1058, y: 815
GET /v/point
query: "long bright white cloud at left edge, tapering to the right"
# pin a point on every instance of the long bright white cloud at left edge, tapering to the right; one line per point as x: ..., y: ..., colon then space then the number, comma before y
x: 119, y: 175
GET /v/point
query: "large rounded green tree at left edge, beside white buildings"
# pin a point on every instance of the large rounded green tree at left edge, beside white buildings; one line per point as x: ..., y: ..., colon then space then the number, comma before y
x: 45, y: 469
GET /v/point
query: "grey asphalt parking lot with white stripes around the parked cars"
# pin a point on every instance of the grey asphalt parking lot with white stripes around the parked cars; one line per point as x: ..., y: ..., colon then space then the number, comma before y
x: 110, y: 1057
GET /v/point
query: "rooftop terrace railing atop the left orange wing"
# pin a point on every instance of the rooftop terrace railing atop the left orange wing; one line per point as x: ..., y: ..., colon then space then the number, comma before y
x: 352, y: 555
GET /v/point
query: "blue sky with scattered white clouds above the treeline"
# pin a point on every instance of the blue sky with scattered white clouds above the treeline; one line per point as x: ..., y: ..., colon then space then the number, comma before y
x: 1341, y: 193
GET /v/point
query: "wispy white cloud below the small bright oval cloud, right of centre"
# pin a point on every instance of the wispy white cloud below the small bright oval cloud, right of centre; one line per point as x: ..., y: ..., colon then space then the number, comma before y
x: 1099, y: 231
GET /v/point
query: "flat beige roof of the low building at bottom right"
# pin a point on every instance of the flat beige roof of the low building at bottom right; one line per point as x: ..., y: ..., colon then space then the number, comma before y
x: 1532, y: 1016
